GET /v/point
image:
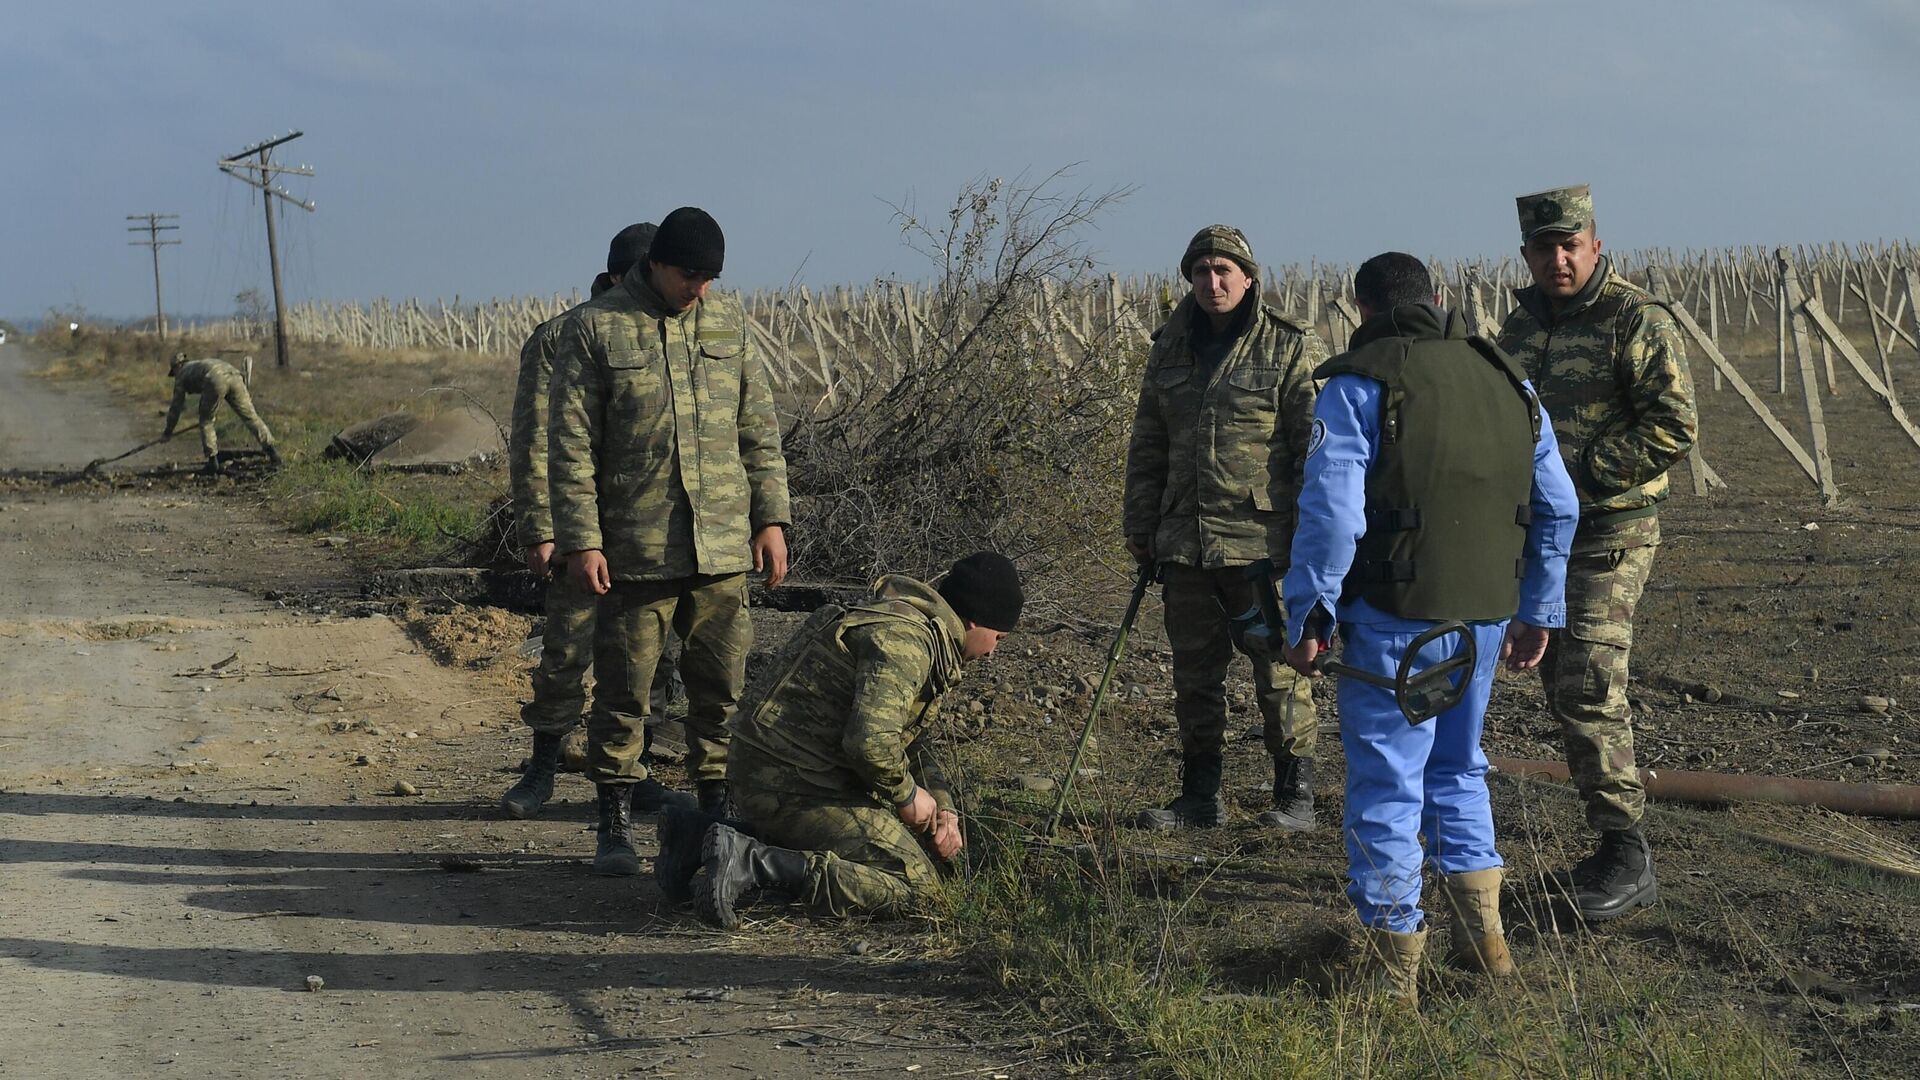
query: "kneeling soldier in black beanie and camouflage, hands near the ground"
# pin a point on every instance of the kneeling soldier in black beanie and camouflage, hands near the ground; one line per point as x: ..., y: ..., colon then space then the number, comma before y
x: 838, y: 773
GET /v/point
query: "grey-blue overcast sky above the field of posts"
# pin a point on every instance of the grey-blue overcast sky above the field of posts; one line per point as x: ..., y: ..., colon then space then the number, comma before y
x: 491, y: 149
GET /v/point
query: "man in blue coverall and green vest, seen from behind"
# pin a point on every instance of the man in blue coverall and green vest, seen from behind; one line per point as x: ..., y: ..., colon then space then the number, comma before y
x: 1433, y: 491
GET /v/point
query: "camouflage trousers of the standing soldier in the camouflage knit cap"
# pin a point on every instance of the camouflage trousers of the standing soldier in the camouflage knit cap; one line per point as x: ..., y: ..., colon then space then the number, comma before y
x: 1197, y: 610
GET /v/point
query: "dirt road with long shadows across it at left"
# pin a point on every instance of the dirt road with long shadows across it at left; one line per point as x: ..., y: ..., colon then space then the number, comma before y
x: 199, y: 823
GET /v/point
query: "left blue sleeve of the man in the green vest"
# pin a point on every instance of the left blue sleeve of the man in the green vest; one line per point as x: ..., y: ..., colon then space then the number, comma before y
x: 1333, y: 499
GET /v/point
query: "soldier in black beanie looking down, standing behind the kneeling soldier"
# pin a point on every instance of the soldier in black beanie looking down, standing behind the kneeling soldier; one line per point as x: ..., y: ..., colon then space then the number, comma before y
x: 667, y: 485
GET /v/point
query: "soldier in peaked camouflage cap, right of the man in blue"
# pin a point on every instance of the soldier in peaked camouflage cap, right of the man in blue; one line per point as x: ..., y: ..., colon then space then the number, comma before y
x: 1610, y: 368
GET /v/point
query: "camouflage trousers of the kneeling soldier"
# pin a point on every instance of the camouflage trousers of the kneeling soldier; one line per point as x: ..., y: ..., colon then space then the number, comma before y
x: 861, y: 860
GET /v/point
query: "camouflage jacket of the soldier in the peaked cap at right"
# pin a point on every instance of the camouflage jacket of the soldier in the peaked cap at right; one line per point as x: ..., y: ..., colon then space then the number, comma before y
x: 1610, y: 368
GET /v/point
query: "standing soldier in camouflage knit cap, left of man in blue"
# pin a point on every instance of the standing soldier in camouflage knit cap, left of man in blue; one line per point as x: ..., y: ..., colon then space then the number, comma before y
x: 1212, y: 472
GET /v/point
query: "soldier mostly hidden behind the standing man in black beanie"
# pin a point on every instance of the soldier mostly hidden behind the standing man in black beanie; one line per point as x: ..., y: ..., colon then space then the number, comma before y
x: 567, y: 643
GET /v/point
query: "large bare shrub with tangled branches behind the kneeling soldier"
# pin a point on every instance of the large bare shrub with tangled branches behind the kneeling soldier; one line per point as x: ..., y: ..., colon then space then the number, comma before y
x: 999, y: 430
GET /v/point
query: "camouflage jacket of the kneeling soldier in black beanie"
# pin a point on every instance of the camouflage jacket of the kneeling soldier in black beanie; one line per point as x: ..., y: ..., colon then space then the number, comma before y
x: 855, y: 708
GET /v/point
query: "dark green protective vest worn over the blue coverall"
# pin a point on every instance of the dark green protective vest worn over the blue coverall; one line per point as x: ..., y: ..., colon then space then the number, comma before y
x: 1452, y: 479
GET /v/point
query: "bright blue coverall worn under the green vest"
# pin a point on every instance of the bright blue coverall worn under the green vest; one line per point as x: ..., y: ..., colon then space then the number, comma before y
x: 1408, y: 781
